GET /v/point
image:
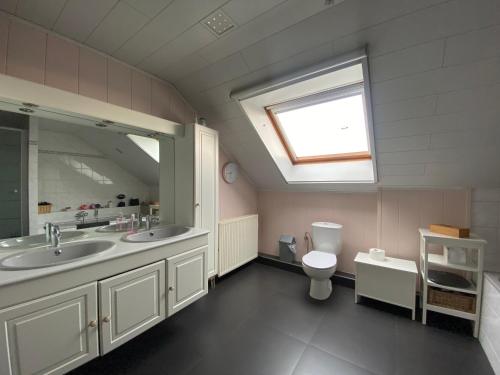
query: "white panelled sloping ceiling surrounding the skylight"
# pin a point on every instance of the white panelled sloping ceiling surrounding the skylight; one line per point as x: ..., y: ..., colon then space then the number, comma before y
x: 435, y: 87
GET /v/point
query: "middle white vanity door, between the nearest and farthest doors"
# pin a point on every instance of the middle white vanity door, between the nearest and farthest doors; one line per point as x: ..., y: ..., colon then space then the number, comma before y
x: 131, y: 303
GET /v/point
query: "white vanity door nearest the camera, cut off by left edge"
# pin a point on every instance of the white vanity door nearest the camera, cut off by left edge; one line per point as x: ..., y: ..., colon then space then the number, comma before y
x: 53, y: 334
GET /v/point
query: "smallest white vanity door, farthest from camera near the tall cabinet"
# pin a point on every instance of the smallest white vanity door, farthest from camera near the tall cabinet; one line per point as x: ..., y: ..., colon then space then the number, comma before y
x: 187, y: 278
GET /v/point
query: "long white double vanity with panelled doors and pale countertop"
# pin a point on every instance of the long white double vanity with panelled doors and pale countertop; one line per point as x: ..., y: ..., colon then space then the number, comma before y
x: 56, y: 318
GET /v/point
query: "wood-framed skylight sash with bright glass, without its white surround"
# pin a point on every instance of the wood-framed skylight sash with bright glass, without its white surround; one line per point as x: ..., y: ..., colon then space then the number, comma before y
x: 325, y: 127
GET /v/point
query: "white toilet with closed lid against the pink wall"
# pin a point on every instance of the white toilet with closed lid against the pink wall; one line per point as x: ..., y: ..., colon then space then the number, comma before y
x: 320, y: 263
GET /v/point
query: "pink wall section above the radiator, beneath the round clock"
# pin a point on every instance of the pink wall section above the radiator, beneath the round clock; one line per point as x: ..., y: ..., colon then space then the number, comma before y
x: 236, y: 199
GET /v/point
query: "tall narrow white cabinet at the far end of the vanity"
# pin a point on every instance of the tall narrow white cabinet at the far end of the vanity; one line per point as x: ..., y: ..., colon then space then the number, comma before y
x: 196, y: 192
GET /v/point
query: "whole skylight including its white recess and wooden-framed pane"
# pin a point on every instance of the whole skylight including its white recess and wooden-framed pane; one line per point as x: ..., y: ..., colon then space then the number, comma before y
x: 317, y: 122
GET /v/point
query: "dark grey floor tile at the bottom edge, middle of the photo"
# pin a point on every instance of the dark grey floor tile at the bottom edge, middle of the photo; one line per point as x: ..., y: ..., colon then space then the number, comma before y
x: 253, y: 350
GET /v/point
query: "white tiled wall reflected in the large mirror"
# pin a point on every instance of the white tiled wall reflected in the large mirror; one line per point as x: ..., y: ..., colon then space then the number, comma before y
x: 71, y: 173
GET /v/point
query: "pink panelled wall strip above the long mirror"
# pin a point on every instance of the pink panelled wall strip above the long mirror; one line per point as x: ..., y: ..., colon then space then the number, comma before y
x: 31, y: 53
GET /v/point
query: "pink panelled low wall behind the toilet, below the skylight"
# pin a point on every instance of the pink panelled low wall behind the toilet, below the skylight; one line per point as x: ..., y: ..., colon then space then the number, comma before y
x: 388, y: 219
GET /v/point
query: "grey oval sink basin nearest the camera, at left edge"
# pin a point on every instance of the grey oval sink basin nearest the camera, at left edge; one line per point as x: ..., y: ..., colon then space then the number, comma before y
x: 50, y: 256
